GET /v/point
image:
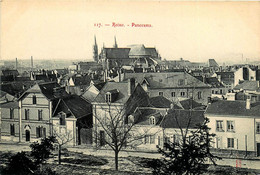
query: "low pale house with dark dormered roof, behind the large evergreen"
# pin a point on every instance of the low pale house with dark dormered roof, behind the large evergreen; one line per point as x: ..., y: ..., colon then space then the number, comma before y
x: 159, y: 126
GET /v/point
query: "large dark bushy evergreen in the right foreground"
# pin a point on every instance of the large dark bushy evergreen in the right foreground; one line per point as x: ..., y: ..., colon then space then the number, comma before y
x: 190, y: 154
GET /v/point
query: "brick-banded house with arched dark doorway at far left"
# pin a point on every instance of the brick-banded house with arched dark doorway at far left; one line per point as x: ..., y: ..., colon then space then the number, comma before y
x: 29, y: 118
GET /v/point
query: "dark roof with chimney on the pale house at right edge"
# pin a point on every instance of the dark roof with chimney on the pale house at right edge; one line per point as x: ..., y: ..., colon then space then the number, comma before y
x: 234, y: 108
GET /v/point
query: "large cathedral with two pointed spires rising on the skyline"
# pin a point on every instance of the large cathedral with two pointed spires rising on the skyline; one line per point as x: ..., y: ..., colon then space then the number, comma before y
x: 136, y: 56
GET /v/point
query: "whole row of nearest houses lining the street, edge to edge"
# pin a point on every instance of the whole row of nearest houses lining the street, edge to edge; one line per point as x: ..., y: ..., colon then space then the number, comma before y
x: 169, y: 100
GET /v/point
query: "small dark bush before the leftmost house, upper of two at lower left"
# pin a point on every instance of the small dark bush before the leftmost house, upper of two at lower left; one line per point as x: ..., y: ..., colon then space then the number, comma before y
x: 41, y: 151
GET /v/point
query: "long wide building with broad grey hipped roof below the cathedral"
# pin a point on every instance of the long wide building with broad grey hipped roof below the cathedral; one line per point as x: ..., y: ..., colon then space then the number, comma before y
x: 172, y: 85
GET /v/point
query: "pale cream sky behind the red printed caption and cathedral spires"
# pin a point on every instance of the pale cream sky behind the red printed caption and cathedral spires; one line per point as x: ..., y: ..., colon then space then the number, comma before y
x: 65, y: 29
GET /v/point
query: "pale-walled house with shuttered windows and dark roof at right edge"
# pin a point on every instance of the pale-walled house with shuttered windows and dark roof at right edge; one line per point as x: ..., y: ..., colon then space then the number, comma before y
x: 236, y: 125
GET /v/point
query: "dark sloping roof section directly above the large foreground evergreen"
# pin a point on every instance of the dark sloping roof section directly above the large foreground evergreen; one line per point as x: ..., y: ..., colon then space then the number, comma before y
x: 183, y: 118
